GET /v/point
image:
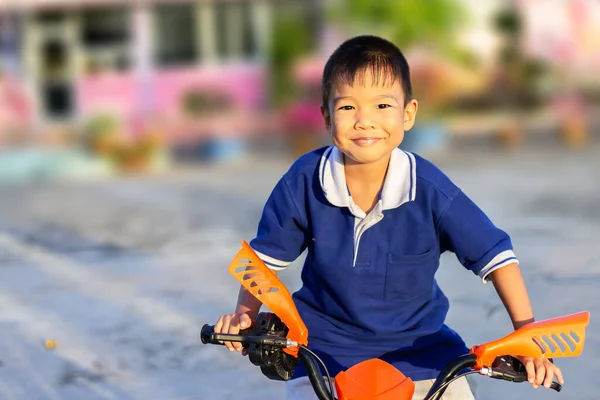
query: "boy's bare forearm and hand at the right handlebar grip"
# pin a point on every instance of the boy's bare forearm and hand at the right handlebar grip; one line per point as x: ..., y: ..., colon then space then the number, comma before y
x: 510, y: 286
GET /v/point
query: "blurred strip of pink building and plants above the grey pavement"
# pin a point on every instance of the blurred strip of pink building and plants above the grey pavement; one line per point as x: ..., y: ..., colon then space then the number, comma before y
x: 143, y: 85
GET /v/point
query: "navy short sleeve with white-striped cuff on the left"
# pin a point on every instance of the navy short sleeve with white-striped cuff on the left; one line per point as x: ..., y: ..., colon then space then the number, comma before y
x: 280, y: 238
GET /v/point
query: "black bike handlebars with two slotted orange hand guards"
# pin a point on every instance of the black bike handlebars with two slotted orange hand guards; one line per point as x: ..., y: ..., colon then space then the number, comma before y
x: 270, y: 346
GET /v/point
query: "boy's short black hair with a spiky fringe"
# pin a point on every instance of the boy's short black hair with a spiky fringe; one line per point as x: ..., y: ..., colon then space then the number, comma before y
x: 361, y: 54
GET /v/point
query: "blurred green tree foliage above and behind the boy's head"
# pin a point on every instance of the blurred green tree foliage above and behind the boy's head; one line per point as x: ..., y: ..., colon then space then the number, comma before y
x: 405, y: 22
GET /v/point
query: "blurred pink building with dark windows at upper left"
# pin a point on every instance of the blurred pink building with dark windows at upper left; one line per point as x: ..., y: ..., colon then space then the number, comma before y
x: 159, y: 59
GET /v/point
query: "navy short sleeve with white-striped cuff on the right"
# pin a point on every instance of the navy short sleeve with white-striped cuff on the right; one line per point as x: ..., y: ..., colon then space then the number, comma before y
x: 479, y: 245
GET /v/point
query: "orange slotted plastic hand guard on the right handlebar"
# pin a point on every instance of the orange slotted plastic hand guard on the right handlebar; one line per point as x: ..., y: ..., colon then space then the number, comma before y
x: 551, y: 338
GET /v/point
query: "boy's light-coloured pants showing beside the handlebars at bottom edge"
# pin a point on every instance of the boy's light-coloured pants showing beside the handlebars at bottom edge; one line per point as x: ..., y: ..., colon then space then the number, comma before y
x: 300, y: 389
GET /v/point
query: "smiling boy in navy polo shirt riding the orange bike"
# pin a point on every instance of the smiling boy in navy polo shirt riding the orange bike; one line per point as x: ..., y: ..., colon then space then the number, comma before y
x: 375, y: 220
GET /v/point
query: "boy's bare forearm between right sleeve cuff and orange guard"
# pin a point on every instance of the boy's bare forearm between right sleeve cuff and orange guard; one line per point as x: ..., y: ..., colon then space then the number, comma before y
x: 510, y: 286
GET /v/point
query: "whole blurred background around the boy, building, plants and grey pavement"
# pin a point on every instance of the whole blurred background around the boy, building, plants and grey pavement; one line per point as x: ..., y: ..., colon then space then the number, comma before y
x: 139, y: 140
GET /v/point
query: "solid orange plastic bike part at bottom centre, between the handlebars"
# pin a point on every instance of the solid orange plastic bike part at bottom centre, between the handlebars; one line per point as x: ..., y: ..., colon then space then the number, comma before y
x: 373, y: 379
